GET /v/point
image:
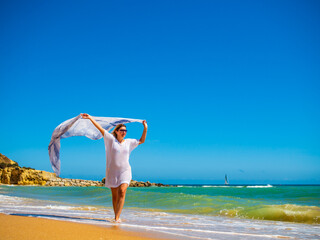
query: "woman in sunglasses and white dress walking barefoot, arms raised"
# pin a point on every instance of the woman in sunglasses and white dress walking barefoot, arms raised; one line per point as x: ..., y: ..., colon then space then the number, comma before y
x: 118, y: 173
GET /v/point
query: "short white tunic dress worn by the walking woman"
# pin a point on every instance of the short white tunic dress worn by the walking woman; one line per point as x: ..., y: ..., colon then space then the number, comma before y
x: 118, y: 169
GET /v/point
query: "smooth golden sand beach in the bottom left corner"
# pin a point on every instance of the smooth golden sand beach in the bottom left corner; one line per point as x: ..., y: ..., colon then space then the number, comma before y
x: 31, y: 228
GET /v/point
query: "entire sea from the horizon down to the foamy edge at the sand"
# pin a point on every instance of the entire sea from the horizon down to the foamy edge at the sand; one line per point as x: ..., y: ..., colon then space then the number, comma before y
x: 184, y: 212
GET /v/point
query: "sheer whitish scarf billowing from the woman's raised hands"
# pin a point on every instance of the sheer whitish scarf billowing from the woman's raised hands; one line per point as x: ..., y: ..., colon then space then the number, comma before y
x: 78, y: 126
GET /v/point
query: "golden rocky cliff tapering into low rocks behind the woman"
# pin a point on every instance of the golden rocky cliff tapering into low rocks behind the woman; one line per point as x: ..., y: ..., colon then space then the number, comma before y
x: 12, y: 173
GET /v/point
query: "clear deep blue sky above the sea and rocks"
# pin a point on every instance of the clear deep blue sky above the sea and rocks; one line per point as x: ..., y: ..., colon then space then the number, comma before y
x: 226, y: 86
